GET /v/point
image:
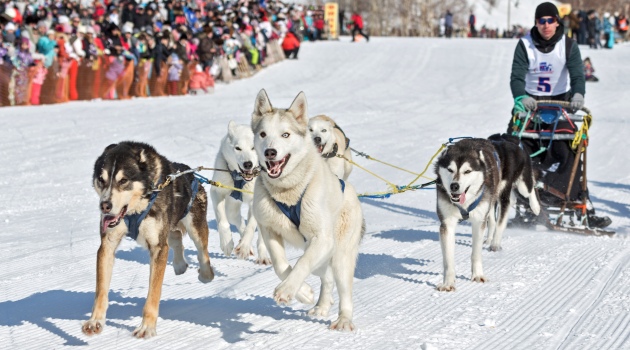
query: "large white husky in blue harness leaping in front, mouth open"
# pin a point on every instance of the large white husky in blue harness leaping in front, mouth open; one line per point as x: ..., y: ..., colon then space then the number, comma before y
x: 299, y: 201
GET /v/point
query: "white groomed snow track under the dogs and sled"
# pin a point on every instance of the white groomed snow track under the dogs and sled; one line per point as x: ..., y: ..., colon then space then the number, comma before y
x: 398, y: 100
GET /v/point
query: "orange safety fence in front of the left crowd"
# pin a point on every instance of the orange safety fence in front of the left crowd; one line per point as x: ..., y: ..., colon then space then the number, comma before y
x: 109, y: 77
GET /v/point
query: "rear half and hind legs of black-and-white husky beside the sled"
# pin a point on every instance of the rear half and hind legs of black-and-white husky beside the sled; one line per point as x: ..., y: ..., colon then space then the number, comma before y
x: 516, y: 175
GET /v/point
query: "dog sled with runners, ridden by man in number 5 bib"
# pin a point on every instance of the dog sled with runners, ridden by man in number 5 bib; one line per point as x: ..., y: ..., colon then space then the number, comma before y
x: 557, y: 141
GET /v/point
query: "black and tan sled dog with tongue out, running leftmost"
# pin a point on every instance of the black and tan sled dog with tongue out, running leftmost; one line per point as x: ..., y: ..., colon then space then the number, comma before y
x: 125, y: 177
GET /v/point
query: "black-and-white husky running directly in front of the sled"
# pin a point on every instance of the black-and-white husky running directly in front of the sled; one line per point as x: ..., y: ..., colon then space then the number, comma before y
x: 475, y: 180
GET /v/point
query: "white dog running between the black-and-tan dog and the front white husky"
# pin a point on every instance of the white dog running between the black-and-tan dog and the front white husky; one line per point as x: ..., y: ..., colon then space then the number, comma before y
x: 237, y: 155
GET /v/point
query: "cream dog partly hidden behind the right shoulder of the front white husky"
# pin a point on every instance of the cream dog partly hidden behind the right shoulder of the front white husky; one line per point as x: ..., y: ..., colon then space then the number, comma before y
x: 330, y: 141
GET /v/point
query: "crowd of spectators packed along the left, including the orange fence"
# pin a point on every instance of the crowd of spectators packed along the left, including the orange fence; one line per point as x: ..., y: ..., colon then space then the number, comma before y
x: 58, y: 51
